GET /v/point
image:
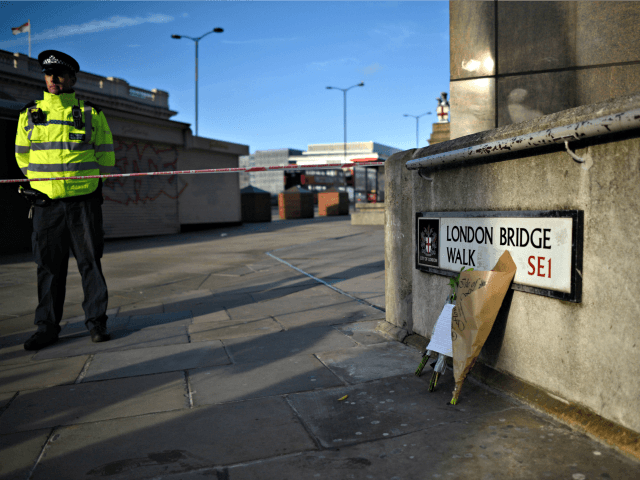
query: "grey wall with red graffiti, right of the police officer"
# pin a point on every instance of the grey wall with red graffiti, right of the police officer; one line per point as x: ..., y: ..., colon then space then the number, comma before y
x: 156, y: 205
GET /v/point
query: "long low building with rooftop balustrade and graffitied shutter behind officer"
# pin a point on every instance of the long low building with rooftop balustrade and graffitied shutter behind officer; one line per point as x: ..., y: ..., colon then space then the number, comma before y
x: 145, y: 140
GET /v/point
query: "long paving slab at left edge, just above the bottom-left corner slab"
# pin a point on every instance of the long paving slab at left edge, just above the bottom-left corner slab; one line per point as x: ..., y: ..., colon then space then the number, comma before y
x: 95, y: 401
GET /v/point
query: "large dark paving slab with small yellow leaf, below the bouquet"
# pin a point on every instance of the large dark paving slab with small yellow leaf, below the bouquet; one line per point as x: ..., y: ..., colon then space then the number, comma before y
x: 386, y: 408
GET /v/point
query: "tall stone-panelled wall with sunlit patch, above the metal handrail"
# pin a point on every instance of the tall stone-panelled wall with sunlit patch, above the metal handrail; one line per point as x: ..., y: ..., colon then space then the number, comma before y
x: 514, y: 61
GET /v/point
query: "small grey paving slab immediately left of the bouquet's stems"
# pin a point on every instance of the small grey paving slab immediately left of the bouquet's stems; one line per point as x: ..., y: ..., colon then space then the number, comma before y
x: 370, y: 362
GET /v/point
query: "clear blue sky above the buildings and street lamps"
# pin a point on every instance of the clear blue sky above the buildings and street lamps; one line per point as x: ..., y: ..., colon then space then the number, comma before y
x: 263, y: 81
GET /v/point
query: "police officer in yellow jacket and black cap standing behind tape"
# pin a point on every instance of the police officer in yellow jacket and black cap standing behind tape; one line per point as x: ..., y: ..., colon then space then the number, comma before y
x: 62, y: 136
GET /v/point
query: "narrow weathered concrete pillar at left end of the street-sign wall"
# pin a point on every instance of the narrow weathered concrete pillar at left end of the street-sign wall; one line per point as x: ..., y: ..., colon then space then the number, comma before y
x: 398, y: 252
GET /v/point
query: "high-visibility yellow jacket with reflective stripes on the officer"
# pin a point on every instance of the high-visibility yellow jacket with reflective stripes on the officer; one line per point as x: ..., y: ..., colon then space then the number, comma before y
x: 56, y: 148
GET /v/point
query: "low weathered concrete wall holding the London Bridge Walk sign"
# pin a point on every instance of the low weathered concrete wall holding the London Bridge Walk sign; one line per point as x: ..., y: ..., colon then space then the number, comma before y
x: 587, y: 353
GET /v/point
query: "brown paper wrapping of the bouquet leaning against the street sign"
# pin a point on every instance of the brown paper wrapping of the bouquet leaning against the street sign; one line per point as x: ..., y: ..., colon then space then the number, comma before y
x: 479, y: 297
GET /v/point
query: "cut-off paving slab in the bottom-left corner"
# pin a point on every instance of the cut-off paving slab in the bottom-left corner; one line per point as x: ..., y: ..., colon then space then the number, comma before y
x: 19, y: 452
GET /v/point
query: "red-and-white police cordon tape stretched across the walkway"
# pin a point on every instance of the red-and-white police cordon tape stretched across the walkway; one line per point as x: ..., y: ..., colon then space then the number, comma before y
x: 207, y: 170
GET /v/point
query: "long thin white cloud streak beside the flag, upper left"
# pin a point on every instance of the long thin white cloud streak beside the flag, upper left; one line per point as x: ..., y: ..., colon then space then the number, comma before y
x: 94, y: 26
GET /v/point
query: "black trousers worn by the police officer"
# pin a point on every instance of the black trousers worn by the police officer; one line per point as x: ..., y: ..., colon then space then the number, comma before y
x: 65, y: 225
